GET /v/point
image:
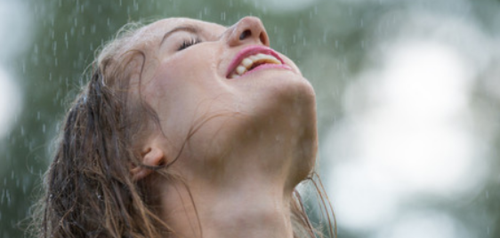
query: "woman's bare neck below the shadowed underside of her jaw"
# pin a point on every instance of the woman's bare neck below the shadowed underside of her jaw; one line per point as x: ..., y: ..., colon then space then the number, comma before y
x: 247, y: 212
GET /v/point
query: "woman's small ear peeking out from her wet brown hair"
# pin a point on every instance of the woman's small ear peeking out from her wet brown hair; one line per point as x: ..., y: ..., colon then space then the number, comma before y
x: 151, y: 156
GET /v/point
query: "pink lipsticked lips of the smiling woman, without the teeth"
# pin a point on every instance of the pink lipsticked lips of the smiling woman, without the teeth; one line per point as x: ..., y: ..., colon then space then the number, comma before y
x: 252, y: 50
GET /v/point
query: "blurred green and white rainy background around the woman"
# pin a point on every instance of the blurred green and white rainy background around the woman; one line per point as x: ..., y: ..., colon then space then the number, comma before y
x: 408, y: 96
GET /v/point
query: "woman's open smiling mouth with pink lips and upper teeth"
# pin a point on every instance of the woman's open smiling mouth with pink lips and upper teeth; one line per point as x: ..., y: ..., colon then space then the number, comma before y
x: 252, y: 58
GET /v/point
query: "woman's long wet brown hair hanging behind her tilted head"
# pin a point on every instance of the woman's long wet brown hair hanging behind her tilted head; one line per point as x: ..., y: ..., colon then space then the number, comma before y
x: 89, y: 191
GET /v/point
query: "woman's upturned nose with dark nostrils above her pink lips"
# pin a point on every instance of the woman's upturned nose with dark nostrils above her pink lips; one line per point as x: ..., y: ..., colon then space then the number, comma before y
x: 248, y: 30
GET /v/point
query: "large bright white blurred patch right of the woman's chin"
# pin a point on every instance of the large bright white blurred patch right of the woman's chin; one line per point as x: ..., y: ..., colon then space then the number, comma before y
x: 410, y: 140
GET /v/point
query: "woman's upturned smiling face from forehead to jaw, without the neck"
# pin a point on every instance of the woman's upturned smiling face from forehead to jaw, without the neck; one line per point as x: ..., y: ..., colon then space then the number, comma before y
x: 225, y: 86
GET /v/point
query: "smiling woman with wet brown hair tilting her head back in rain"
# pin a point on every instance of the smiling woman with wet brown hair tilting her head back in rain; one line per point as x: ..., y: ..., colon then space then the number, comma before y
x: 186, y: 129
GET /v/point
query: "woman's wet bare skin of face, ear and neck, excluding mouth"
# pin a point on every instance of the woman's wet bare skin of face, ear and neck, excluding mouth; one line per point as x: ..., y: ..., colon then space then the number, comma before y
x: 255, y: 136
